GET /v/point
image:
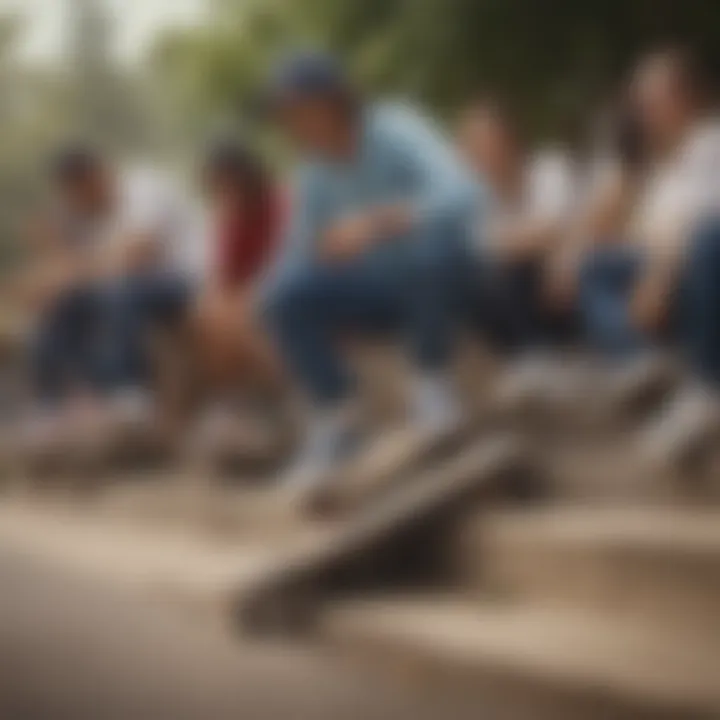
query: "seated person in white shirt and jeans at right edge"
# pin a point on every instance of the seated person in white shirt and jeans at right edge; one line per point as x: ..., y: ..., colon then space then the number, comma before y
x: 666, y: 280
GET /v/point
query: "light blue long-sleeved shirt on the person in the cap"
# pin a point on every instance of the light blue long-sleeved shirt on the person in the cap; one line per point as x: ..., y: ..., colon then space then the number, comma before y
x: 402, y: 157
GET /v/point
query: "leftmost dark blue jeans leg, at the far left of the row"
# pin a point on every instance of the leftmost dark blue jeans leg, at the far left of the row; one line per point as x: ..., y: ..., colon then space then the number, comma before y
x: 64, y: 349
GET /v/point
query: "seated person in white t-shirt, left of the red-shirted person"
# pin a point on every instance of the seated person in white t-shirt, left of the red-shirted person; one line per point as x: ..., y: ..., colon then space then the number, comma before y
x: 141, y: 263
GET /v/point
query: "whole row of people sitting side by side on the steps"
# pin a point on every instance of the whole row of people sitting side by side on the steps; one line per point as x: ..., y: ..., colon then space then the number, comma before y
x: 390, y: 229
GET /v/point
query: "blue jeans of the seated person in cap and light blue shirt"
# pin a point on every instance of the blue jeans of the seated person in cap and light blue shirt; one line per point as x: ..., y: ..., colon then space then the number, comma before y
x: 316, y: 307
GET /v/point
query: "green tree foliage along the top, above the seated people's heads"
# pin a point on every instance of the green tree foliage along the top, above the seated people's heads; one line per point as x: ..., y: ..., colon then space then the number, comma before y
x: 552, y: 60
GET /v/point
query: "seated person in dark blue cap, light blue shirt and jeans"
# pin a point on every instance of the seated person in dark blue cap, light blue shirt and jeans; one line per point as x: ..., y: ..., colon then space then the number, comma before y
x: 377, y: 241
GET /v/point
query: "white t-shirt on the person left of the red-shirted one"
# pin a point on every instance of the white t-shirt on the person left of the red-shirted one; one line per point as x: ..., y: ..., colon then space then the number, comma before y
x: 152, y: 205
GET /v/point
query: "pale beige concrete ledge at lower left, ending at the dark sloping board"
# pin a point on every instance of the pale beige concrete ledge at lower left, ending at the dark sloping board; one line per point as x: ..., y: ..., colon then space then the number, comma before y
x: 197, y: 572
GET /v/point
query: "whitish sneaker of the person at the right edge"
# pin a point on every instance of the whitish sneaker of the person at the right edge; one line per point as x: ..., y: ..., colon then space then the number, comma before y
x: 685, y: 427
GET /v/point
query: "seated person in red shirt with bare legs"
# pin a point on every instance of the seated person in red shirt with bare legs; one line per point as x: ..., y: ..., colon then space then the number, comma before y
x: 245, y: 212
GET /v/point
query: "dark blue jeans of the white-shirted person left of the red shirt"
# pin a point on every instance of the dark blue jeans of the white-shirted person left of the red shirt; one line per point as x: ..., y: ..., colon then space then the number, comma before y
x: 133, y: 307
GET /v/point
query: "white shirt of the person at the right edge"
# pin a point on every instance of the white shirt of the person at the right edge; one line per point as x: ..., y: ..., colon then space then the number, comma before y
x: 680, y: 192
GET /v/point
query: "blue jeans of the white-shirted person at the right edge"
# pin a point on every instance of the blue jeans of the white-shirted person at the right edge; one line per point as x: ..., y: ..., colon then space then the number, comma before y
x: 611, y: 274
